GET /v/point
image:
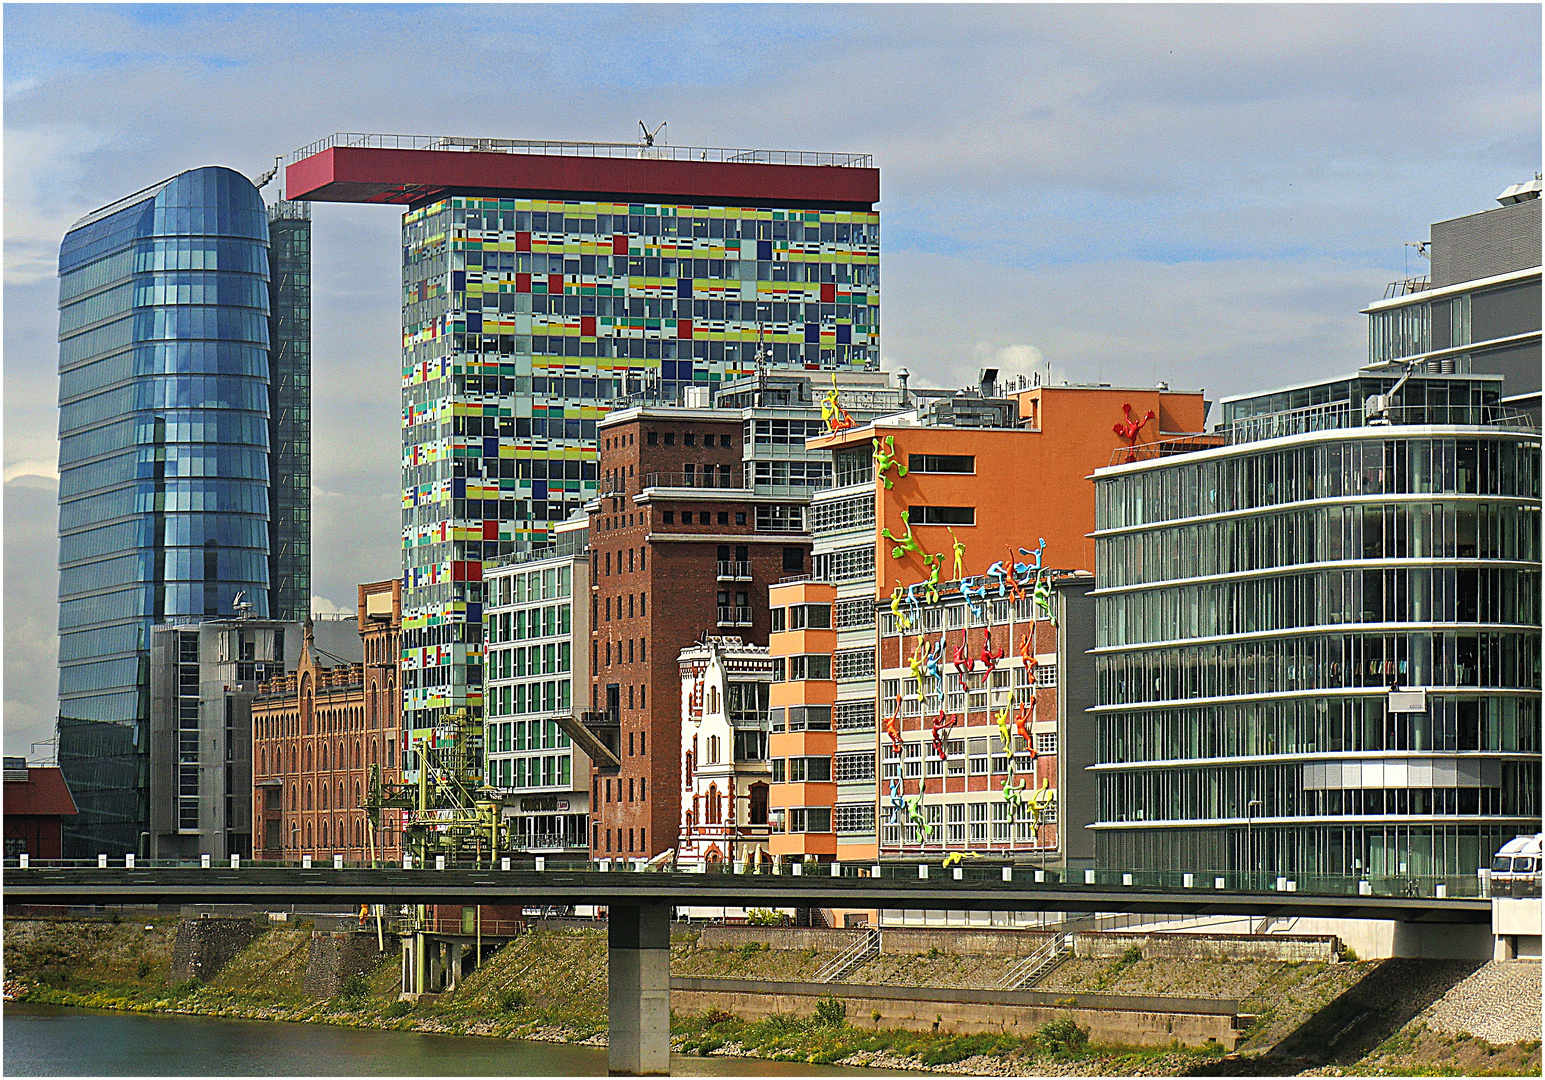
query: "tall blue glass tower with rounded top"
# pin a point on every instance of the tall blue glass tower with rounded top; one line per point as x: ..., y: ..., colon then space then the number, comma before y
x: 163, y: 463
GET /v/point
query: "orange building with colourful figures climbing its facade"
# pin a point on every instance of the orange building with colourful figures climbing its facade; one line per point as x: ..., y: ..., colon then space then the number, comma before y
x: 980, y: 480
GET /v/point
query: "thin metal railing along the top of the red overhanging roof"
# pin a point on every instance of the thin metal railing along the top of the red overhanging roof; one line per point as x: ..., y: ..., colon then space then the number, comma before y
x: 565, y: 149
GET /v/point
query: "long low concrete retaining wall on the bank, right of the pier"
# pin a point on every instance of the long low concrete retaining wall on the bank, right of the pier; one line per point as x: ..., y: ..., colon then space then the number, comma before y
x: 881, y: 1008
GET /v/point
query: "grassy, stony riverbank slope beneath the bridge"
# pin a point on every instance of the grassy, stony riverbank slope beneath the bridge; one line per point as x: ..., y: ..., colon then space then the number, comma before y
x: 551, y: 987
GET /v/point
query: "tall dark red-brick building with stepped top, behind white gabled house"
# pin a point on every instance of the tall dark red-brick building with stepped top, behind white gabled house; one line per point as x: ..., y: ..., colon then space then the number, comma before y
x: 679, y: 549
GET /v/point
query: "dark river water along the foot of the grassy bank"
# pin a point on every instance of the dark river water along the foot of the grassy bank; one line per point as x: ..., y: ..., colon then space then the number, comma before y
x: 46, y: 1041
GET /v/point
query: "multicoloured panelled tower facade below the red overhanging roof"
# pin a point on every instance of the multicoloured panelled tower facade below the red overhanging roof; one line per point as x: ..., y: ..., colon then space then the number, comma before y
x: 528, y: 321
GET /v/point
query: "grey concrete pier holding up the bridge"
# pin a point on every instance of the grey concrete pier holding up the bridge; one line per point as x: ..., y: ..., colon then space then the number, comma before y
x: 639, y: 997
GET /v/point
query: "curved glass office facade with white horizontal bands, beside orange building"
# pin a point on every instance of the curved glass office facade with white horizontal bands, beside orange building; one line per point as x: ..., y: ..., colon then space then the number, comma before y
x: 1257, y: 606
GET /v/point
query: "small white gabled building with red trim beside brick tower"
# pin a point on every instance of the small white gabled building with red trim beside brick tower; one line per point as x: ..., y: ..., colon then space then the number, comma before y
x: 725, y: 772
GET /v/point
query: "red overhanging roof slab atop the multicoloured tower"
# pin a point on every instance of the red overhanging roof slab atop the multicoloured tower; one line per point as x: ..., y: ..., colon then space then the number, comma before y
x: 413, y: 177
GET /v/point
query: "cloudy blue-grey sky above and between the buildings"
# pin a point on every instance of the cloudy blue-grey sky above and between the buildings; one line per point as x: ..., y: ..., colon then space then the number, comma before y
x: 1201, y: 195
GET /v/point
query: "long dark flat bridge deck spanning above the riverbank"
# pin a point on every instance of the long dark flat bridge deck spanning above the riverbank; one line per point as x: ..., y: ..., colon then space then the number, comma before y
x: 395, y: 886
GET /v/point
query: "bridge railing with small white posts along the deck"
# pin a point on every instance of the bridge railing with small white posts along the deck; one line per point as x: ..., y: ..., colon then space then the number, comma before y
x: 969, y: 872
